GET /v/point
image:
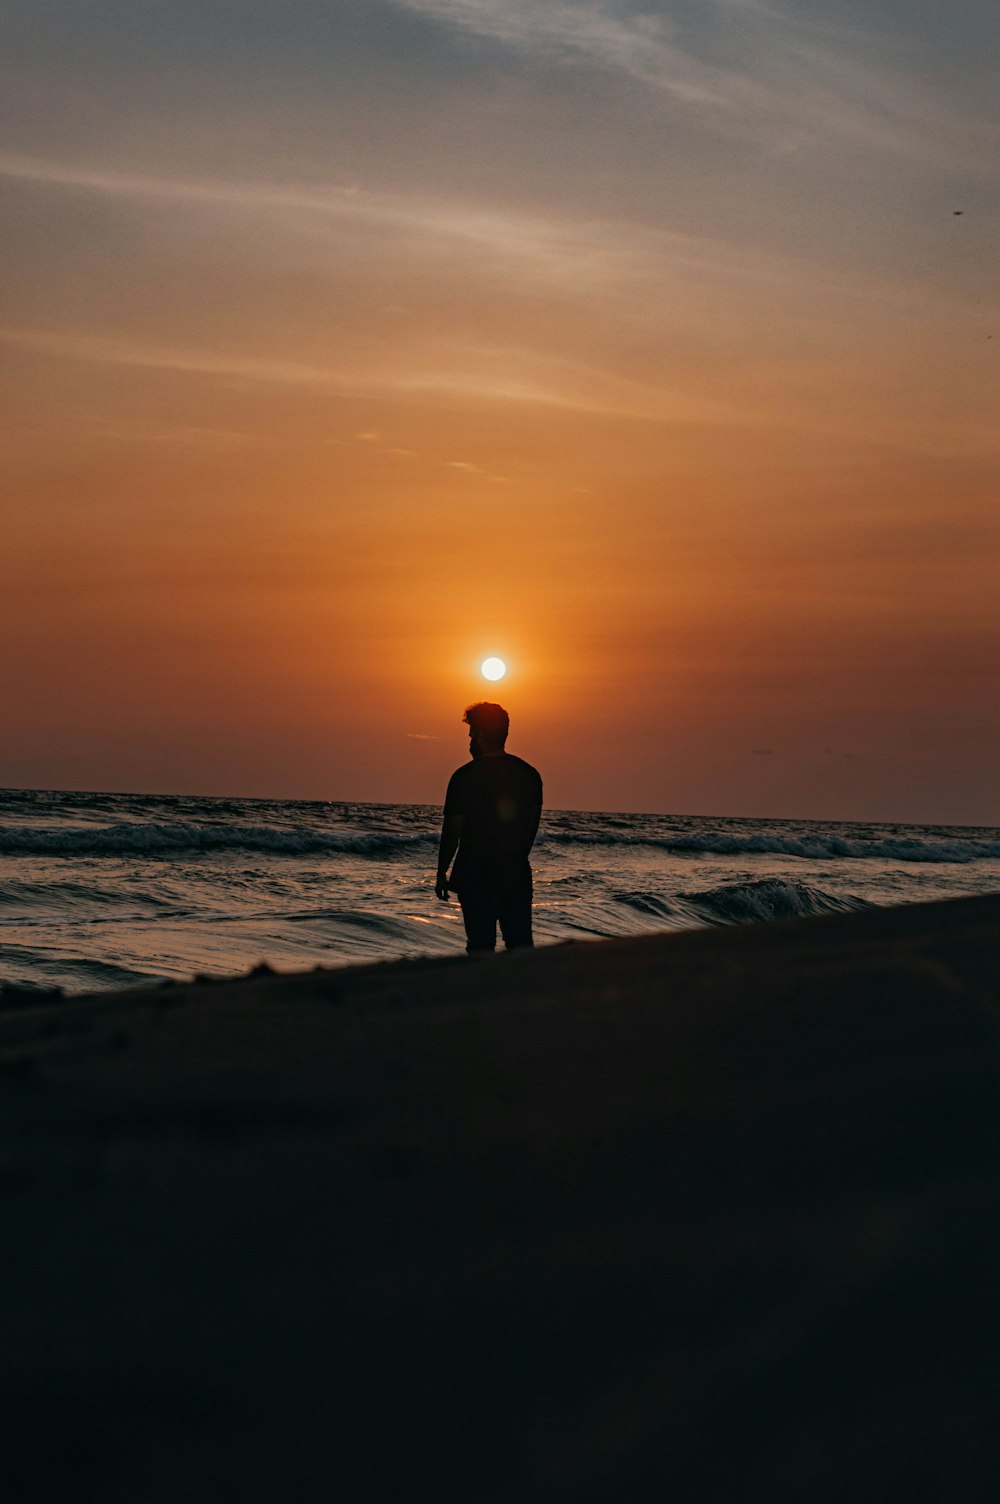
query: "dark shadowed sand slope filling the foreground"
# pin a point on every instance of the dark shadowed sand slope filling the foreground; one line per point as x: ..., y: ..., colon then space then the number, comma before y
x: 711, y: 1216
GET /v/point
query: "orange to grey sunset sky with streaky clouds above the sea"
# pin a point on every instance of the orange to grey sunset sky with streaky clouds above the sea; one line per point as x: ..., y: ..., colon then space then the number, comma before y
x: 652, y: 347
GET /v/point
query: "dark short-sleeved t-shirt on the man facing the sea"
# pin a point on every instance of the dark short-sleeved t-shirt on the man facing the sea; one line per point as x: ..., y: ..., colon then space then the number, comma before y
x: 500, y: 799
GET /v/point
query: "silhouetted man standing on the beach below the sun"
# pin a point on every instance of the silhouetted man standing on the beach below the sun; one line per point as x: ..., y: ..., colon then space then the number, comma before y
x: 492, y: 811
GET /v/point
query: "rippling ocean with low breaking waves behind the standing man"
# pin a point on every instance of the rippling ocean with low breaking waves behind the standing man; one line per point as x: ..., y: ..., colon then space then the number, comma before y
x: 111, y: 891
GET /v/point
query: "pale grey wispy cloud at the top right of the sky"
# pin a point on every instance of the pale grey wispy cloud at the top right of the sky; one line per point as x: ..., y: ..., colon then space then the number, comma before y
x: 795, y: 73
